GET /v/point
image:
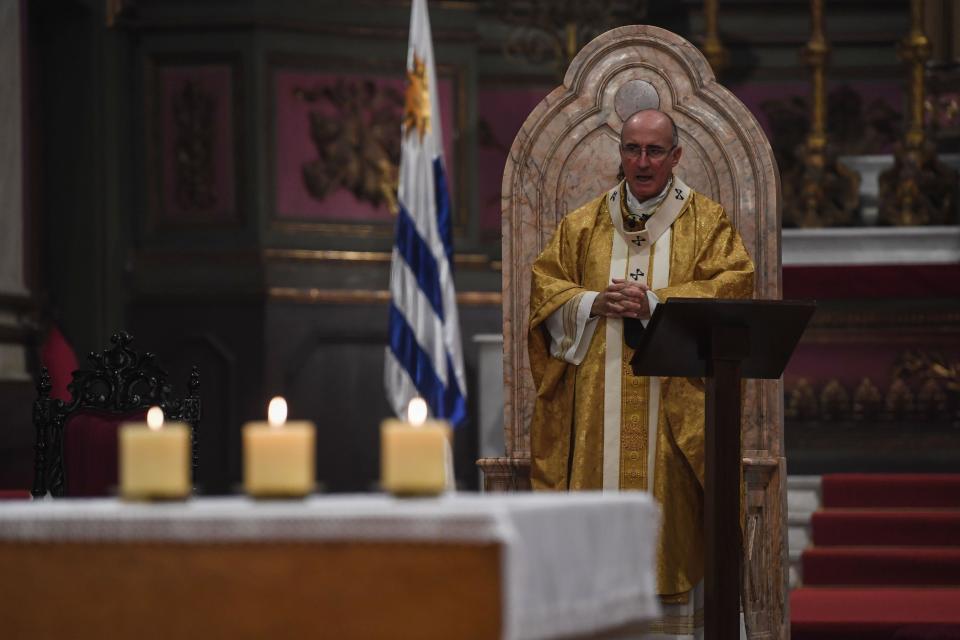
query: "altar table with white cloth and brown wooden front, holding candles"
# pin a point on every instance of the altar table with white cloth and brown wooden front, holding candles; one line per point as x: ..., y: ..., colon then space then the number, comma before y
x: 352, y: 566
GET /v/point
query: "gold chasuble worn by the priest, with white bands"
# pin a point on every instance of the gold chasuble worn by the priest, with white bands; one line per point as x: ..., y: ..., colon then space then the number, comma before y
x: 596, y: 425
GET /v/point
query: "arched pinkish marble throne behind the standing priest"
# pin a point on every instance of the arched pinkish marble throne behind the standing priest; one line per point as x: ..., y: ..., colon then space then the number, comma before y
x: 565, y: 154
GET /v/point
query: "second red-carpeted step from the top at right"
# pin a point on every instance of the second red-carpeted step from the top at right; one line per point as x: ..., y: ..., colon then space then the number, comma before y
x: 860, y: 527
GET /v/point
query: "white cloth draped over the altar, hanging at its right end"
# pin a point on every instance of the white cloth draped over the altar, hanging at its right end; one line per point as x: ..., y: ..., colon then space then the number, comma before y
x: 574, y: 564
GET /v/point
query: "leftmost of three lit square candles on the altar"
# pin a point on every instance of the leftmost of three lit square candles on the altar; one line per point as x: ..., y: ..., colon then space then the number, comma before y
x: 154, y: 459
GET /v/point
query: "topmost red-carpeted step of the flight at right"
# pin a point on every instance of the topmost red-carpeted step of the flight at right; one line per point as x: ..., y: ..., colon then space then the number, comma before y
x: 911, y: 490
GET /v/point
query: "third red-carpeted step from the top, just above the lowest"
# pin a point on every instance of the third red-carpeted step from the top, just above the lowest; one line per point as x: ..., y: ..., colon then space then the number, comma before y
x: 891, y: 566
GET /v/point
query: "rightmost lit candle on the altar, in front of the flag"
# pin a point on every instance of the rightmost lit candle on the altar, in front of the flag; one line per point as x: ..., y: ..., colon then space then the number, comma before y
x: 414, y: 455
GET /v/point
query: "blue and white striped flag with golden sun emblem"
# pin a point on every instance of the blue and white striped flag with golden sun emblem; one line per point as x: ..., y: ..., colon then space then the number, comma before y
x: 425, y: 355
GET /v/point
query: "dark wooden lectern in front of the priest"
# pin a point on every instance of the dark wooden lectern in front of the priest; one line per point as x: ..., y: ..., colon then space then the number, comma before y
x: 723, y: 341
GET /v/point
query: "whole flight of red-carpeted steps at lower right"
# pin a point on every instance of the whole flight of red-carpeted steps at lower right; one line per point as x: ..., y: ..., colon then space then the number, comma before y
x: 885, y: 560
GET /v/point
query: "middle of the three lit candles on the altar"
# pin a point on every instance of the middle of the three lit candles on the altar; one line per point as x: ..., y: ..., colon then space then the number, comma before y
x: 278, y: 456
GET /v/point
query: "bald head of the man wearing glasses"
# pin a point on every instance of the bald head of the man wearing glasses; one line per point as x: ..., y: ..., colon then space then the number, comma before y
x: 649, y: 150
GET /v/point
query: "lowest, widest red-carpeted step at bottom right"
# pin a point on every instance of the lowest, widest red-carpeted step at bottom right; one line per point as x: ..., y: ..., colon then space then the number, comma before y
x: 830, y: 613
